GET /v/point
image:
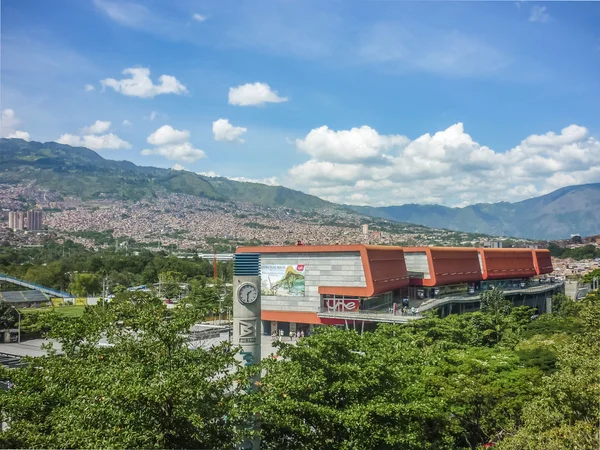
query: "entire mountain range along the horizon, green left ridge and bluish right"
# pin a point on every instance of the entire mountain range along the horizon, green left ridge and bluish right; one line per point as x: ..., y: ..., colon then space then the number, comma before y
x: 83, y: 173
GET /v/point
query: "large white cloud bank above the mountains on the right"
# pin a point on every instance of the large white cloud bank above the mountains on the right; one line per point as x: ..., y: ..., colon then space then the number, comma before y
x: 448, y: 167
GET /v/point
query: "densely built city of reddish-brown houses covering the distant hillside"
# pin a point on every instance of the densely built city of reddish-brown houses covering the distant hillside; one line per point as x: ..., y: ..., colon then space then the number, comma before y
x: 187, y: 222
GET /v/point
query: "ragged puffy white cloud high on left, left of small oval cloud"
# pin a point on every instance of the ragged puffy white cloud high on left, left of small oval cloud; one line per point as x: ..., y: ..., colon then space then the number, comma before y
x: 140, y: 84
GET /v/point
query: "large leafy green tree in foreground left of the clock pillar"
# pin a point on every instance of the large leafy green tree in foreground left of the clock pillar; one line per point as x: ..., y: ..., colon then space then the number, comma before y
x: 148, y: 389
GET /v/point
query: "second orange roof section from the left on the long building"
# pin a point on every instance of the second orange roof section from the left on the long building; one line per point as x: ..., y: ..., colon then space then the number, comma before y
x: 448, y: 265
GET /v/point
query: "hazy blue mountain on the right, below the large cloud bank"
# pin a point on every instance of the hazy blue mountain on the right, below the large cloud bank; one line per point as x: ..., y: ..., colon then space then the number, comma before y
x: 566, y: 211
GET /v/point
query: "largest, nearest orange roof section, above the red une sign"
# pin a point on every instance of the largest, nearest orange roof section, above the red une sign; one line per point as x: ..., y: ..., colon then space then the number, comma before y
x: 384, y: 266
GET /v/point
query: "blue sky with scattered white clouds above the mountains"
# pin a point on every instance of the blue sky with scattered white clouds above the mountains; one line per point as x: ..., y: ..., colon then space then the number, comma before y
x: 360, y: 102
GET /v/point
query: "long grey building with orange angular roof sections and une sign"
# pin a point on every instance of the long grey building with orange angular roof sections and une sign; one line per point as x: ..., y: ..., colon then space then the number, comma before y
x: 360, y: 285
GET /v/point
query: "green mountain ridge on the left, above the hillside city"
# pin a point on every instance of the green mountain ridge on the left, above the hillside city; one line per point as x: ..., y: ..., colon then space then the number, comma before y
x: 83, y: 173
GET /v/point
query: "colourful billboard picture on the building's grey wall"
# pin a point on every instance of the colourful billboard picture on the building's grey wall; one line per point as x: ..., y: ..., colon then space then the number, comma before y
x: 282, y: 280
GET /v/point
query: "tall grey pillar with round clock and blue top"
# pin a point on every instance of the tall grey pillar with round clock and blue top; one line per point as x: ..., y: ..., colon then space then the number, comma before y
x: 246, y: 318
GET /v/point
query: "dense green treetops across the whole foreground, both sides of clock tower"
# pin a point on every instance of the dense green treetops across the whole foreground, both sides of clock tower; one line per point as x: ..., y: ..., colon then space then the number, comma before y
x: 502, y: 376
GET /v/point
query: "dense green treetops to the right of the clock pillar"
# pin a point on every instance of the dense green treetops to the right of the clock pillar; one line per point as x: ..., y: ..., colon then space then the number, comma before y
x: 494, y: 377
